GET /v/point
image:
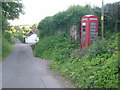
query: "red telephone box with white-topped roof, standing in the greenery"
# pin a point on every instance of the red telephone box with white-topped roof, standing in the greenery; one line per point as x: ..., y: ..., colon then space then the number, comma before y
x: 89, y: 30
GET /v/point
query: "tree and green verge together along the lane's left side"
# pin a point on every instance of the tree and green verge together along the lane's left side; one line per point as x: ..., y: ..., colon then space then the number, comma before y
x: 8, y: 11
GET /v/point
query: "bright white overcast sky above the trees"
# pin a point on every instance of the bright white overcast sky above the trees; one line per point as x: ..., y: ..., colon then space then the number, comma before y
x: 36, y: 10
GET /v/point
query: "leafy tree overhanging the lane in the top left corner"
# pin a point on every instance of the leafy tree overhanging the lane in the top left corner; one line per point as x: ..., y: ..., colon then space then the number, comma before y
x: 10, y: 11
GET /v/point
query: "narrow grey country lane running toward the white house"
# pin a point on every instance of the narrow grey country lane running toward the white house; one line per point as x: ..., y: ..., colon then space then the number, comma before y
x: 22, y: 70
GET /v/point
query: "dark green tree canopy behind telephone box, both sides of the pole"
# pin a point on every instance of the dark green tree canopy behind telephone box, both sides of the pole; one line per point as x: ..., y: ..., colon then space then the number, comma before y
x: 62, y: 21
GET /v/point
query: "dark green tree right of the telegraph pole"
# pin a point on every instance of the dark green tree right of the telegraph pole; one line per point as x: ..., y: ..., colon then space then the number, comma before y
x: 111, y: 16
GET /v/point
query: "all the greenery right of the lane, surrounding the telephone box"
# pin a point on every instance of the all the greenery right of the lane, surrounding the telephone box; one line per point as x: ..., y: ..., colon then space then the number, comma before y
x: 95, y: 67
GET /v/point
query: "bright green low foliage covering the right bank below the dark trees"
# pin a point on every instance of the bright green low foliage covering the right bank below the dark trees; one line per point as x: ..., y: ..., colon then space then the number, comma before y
x: 97, y: 69
